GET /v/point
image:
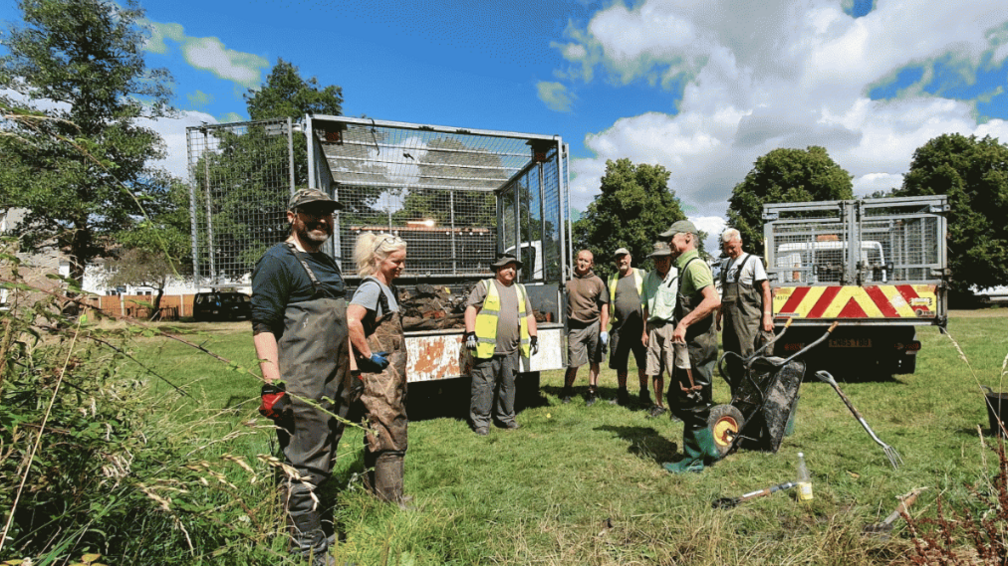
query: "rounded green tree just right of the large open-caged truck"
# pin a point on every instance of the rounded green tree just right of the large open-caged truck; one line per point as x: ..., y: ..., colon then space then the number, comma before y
x: 635, y: 206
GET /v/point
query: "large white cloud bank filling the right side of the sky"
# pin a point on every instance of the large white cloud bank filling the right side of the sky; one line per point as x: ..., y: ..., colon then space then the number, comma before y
x: 760, y: 76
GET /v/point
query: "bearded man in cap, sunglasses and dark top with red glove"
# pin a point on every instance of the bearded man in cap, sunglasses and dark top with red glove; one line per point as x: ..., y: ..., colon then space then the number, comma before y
x: 301, y: 336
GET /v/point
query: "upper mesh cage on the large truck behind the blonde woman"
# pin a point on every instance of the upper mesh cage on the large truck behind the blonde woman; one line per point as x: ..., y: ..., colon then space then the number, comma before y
x: 457, y: 198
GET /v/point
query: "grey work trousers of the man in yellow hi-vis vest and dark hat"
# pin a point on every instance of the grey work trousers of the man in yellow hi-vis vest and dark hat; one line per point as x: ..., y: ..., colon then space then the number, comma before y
x: 490, y: 376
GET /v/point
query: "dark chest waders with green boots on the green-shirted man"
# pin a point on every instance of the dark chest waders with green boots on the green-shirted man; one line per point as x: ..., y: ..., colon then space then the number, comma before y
x: 691, y: 400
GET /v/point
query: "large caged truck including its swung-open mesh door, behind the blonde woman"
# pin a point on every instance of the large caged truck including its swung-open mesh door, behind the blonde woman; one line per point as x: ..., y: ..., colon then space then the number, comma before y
x: 457, y: 196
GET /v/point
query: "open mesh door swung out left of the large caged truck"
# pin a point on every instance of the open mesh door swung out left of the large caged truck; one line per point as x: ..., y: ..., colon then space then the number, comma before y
x: 240, y: 181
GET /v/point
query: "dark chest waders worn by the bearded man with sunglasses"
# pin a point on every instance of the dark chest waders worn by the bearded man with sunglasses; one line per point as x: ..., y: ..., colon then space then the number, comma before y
x: 315, y: 364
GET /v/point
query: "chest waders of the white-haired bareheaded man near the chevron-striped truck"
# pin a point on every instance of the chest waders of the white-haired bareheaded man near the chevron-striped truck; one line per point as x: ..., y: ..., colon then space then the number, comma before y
x: 742, y: 312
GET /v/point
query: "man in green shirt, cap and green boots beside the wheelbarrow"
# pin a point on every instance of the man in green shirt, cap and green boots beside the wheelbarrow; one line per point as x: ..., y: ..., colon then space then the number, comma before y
x: 690, y: 391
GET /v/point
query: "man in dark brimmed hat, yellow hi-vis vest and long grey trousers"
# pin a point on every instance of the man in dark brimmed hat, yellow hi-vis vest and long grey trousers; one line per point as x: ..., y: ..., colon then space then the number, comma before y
x: 499, y: 326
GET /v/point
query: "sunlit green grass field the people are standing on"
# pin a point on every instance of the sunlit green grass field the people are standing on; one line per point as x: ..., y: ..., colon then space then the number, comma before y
x: 584, y: 485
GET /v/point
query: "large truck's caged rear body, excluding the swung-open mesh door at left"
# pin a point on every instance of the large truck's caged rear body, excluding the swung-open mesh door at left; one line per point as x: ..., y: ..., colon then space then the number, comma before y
x: 458, y: 197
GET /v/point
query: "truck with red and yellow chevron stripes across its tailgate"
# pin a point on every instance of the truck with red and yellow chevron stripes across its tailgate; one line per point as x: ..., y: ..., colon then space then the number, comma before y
x: 876, y: 266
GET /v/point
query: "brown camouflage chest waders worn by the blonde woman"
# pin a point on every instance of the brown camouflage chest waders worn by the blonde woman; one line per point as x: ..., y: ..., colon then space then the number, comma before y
x: 385, y: 400
